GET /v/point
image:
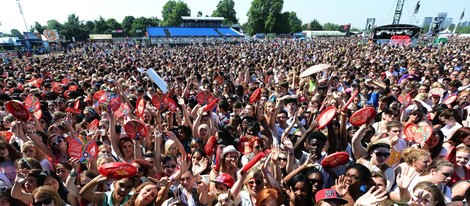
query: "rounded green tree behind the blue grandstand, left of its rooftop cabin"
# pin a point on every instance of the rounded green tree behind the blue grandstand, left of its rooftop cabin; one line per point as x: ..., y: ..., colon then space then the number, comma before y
x: 173, y: 11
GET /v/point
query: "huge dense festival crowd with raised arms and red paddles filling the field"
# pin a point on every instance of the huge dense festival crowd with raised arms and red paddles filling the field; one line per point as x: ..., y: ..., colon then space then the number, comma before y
x: 238, y: 125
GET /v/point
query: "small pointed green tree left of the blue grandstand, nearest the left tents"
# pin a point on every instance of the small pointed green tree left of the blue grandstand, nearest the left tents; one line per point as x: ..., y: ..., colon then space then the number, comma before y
x: 74, y: 27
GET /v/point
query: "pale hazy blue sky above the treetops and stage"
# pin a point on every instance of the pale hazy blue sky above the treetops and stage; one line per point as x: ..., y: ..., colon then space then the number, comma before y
x: 334, y: 11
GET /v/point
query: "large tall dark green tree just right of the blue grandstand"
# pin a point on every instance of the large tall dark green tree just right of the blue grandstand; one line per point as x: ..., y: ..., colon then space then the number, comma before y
x: 264, y: 15
